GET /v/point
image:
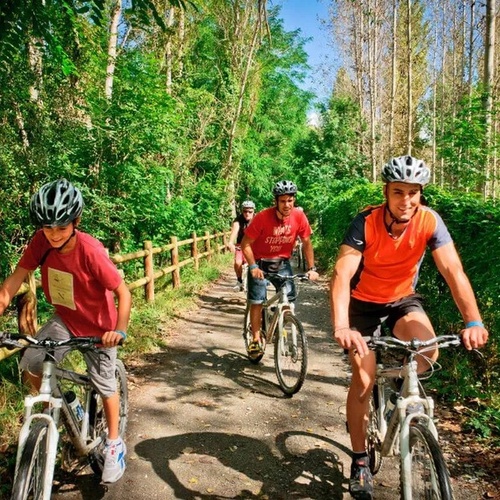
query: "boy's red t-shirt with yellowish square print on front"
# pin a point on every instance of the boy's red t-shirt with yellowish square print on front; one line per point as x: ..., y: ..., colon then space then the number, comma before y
x: 79, y: 284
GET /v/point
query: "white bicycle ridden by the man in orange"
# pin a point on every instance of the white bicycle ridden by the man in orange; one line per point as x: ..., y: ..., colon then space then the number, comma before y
x: 423, y: 470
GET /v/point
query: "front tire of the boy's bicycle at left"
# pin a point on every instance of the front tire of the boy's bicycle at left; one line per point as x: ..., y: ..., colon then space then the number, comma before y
x: 29, y: 479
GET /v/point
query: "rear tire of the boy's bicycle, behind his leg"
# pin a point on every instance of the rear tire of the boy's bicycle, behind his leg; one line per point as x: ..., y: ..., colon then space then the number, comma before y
x: 97, y: 418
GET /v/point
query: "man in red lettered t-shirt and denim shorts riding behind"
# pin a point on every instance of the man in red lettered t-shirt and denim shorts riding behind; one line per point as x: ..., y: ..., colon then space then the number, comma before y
x: 267, y: 246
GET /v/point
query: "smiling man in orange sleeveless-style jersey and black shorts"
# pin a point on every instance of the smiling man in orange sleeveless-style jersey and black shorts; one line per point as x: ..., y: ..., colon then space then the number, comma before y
x: 374, y: 282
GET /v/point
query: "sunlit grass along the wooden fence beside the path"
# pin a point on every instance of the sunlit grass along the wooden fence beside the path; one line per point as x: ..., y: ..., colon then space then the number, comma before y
x: 148, y: 332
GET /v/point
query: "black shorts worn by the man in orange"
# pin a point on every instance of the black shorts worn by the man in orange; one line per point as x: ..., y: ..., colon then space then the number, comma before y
x: 368, y: 317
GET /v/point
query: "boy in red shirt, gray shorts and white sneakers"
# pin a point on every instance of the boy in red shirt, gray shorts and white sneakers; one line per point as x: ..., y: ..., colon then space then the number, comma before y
x: 81, y: 282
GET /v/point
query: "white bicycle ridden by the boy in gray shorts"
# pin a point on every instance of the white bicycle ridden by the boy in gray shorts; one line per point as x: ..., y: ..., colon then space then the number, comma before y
x: 85, y: 424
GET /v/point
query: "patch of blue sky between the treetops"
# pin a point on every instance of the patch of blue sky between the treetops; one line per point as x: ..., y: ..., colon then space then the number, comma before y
x: 307, y: 15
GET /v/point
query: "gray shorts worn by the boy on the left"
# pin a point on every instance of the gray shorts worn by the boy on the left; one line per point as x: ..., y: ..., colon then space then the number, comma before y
x: 101, y: 367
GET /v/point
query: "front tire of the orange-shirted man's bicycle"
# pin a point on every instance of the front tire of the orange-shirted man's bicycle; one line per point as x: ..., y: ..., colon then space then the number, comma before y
x: 429, y: 475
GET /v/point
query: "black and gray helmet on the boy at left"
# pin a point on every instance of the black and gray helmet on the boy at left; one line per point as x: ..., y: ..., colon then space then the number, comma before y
x: 56, y: 204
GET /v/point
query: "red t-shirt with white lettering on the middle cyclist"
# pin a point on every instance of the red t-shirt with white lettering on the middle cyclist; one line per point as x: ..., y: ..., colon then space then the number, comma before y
x: 273, y: 237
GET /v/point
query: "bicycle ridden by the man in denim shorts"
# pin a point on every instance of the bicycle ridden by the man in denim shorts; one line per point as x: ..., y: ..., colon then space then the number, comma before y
x: 281, y: 327
